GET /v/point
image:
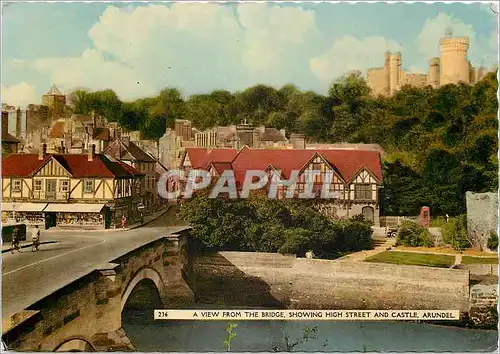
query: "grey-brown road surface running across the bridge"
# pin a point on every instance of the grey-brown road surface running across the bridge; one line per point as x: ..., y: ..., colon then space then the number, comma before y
x: 30, y: 276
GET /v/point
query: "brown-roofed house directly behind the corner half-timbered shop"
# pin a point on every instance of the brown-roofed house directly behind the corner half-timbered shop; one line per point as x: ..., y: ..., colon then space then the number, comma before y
x: 125, y: 150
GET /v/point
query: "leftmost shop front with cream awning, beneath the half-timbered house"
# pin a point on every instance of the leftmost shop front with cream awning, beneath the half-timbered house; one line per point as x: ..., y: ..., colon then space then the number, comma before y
x: 30, y: 214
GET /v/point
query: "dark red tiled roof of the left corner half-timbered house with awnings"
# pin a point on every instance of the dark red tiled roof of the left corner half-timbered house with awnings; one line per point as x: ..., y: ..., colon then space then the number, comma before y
x: 25, y: 165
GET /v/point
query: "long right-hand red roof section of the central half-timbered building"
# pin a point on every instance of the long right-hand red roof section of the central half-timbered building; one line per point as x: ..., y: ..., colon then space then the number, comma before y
x: 346, y: 162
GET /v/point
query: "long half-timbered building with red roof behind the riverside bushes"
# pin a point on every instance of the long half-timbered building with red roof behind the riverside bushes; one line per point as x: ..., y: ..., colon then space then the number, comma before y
x: 356, y: 174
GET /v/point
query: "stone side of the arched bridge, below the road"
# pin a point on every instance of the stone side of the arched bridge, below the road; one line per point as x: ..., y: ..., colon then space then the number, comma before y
x: 87, y: 314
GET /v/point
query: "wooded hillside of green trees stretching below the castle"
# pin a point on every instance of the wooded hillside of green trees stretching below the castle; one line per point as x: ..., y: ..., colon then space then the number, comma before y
x: 438, y: 143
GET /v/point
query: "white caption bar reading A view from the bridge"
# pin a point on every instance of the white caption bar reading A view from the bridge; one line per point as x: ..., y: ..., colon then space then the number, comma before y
x: 301, y: 315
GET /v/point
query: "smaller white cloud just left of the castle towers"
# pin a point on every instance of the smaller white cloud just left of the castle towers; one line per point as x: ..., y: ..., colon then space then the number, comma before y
x: 350, y: 53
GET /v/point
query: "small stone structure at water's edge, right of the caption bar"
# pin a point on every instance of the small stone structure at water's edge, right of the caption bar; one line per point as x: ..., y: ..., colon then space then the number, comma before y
x: 483, y: 305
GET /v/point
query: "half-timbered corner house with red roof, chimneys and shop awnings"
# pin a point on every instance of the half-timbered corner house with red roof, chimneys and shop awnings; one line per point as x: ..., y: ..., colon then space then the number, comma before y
x: 69, y: 190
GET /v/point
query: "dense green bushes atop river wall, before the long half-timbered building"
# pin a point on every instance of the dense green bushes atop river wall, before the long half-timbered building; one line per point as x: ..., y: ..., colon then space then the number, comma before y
x: 260, y: 224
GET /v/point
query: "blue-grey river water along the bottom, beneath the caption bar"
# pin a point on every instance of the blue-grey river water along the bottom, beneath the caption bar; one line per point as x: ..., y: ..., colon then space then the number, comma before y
x: 182, y: 336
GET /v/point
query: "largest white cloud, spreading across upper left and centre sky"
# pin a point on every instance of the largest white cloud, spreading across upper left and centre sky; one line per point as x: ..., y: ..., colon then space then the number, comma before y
x: 187, y: 45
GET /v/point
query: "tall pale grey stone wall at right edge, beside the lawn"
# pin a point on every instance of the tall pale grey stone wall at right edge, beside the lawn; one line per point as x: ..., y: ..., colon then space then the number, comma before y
x: 482, y: 217
